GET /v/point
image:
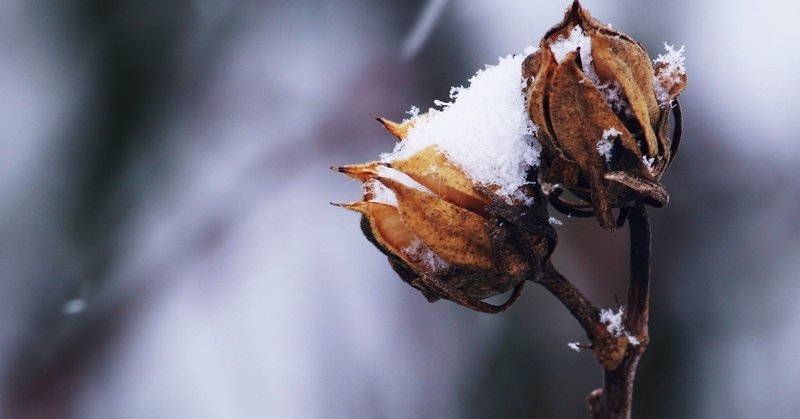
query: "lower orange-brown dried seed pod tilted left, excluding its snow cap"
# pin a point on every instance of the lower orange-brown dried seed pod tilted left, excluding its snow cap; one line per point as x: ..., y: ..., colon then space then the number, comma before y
x: 446, y: 237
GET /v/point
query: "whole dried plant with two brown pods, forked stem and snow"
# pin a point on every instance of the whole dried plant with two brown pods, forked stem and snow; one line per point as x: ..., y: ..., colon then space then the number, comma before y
x: 584, y: 124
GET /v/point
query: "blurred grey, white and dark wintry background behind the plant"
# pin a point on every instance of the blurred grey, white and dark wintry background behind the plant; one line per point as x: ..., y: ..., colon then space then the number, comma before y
x: 168, y: 249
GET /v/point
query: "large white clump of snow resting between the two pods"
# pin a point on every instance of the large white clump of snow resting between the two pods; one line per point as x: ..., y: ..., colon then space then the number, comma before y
x: 485, y: 130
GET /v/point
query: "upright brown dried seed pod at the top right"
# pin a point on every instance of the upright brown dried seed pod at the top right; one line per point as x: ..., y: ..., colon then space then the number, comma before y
x: 602, y: 112
